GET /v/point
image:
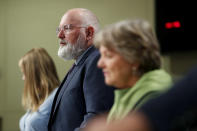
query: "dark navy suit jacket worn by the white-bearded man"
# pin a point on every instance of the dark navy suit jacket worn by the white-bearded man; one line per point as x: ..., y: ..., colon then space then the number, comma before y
x: 81, y: 95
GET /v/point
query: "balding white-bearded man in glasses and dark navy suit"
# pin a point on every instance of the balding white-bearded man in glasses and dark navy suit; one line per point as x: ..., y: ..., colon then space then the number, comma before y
x: 83, y: 93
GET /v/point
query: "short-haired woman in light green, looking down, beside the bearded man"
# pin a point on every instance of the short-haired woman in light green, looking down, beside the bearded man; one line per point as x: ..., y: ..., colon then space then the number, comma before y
x: 131, y: 61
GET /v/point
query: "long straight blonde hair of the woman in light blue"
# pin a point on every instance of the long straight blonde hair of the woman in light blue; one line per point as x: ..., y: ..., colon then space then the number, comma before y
x: 40, y: 77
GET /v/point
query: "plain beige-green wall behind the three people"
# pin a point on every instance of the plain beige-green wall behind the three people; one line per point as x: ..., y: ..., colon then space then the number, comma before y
x: 25, y: 24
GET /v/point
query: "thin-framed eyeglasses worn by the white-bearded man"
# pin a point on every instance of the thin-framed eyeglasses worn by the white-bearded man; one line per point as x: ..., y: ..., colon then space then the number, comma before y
x: 67, y: 28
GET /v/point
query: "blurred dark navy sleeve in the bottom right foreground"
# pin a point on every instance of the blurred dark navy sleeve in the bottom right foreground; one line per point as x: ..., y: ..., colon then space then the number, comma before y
x: 176, y: 109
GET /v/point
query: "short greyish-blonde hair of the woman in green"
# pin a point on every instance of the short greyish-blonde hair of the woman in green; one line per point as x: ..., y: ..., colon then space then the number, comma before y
x: 134, y: 40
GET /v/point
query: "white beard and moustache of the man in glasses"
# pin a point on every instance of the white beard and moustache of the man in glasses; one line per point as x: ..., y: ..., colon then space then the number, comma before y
x: 72, y: 51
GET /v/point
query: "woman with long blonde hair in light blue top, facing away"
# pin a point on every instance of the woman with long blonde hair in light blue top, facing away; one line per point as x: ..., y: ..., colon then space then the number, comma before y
x: 40, y: 85
